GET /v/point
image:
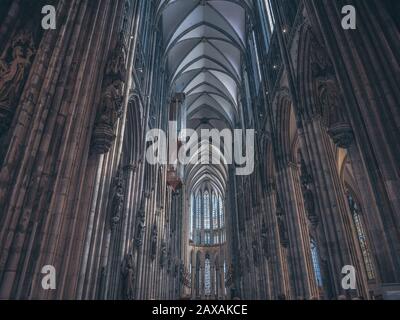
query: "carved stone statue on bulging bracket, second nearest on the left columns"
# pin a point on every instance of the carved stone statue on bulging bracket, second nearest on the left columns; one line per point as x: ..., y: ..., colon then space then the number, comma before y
x: 111, y: 103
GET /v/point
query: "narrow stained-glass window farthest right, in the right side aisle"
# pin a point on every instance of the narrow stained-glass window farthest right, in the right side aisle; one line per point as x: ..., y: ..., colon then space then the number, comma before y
x: 361, y: 235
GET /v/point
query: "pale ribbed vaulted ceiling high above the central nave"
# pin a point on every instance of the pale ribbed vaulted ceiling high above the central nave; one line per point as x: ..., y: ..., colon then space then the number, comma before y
x: 204, y: 45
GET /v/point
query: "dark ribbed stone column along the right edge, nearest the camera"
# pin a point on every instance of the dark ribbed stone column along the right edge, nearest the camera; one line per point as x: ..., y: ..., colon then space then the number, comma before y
x: 371, y: 90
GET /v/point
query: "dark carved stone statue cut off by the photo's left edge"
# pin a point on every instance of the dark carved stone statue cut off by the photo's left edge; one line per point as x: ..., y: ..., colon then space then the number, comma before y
x: 14, y: 67
